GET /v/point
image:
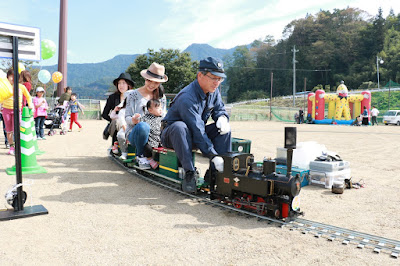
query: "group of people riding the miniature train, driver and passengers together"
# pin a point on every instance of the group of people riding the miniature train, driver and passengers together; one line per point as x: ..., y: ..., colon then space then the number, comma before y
x: 145, y: 124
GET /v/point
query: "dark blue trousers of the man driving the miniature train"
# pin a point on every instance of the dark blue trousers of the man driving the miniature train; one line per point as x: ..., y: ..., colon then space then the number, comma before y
x: 178, y: 137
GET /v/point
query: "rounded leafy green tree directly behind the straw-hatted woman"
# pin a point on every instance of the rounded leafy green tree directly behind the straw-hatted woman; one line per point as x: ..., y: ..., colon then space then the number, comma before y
x: 179, y: 68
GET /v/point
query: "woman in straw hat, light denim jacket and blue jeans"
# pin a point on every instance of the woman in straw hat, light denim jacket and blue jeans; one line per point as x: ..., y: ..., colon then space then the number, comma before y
x: 138, y: 132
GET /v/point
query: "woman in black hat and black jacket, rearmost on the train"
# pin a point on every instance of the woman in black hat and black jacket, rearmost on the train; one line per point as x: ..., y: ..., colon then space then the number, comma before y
x: 123, y: 83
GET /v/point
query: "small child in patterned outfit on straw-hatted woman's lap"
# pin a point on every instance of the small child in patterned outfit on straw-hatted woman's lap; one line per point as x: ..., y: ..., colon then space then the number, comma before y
x: 153, y: 117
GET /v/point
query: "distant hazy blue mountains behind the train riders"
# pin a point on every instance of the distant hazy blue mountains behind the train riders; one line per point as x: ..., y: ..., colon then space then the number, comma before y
x: 92, y: 80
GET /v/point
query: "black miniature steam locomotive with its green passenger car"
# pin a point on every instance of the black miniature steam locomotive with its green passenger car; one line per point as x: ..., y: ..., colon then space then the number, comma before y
x: 243, y: 183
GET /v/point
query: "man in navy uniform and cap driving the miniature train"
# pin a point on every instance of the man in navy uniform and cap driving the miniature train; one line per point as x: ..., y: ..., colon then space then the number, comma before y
x: 185, y: 123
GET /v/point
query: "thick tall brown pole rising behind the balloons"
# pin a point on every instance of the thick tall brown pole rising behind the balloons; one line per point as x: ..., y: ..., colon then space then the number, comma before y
x: 62, y: 46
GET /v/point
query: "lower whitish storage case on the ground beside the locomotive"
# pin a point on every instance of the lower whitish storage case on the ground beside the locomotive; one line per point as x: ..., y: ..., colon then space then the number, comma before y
x: 326, y: 179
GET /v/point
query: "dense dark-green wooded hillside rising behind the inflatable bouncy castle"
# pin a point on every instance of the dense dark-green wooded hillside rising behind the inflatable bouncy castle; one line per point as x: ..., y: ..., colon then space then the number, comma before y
x: 330, y: 47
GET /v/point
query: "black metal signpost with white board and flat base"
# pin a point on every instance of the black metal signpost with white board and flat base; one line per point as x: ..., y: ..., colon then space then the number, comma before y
x: 18, y: 40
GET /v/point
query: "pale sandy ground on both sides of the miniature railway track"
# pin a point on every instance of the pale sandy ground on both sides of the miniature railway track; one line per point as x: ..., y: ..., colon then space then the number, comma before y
x: 99, y: 214
